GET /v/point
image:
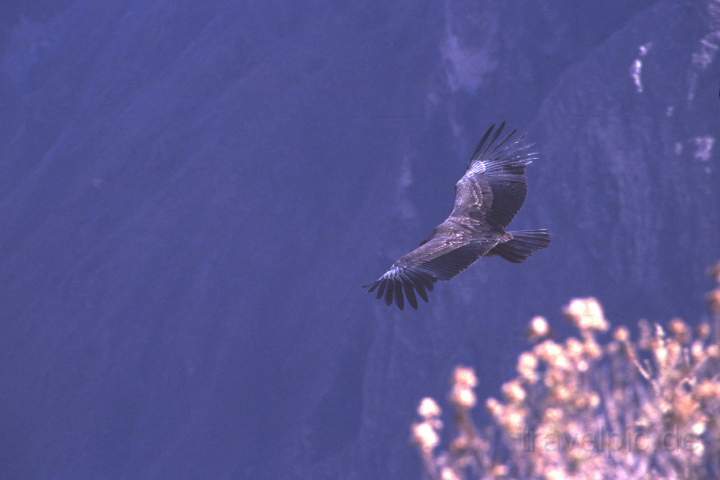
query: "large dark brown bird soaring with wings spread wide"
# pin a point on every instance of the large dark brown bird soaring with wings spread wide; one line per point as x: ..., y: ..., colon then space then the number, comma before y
x: 486, y: 198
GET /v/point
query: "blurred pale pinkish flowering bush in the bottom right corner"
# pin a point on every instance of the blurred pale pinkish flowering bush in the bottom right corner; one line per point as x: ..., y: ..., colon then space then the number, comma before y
x: 642, y: 408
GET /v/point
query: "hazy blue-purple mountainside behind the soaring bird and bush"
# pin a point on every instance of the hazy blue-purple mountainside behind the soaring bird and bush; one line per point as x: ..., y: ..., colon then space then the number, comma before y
x: 192, y: 193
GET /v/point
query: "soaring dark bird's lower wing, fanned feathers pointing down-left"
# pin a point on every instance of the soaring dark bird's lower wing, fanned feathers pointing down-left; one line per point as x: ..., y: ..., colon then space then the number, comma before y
x: 416, y: 272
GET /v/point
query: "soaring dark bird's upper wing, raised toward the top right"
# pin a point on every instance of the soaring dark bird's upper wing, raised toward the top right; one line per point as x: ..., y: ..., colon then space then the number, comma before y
x: 494, y: 186
